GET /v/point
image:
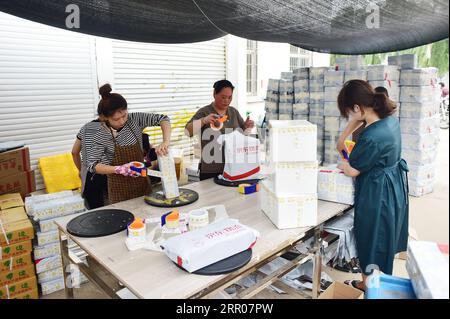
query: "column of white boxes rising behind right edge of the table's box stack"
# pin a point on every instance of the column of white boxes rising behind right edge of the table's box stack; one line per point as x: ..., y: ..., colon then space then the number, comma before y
x: 316, y: 105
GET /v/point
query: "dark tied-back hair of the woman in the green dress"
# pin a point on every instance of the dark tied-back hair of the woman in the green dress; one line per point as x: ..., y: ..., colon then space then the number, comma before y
x: 359, y: 92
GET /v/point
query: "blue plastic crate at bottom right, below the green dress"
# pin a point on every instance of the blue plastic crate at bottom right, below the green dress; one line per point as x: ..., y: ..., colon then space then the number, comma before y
x: 389, y: 287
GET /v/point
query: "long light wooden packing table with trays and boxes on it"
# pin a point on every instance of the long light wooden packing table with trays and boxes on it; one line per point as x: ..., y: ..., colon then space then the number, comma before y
x: 151, y: 274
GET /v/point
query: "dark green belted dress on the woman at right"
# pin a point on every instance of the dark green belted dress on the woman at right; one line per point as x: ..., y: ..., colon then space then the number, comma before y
x: 381, y: 196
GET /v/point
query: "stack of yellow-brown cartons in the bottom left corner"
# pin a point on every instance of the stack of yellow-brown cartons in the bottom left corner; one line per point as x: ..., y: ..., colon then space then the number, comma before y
x: 17, y: 271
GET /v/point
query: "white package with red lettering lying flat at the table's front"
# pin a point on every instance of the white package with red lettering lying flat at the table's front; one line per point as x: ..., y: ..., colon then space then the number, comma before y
x: 196, y: 249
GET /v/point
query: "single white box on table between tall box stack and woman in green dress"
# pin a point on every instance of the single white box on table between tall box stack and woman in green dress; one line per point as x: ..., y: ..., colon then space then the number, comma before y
x: 334, y: 186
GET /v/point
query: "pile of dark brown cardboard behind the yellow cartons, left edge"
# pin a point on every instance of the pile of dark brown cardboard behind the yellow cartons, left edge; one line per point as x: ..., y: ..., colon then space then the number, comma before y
x: 16, y: 175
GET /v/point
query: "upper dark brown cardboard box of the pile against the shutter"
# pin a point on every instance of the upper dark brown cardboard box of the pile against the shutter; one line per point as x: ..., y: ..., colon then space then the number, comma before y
x: 14, y: 161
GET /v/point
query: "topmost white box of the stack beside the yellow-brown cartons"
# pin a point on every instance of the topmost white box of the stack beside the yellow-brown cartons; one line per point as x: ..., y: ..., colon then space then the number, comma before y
x: 58, y: 207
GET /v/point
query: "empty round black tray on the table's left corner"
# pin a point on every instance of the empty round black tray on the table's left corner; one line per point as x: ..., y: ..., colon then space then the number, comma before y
x: 99, y: 223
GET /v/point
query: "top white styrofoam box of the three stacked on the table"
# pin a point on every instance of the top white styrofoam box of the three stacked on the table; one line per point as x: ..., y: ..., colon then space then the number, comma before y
x: 292, y: 141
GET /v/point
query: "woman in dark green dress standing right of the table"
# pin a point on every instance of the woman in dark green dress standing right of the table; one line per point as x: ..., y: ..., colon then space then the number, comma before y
x: 381, y: 189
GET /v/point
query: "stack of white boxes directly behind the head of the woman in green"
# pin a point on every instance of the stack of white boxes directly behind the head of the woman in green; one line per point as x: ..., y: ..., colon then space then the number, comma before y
x: 387, y: 76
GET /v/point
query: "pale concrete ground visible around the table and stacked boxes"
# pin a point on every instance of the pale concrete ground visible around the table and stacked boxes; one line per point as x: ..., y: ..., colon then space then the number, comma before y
x: 429, y: 220
